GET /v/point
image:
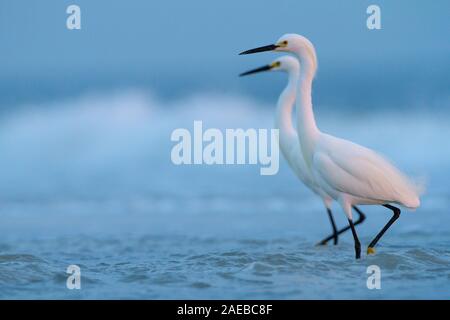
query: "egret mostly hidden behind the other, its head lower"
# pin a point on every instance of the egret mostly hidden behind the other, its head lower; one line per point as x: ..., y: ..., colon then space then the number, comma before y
x: 289, y: 142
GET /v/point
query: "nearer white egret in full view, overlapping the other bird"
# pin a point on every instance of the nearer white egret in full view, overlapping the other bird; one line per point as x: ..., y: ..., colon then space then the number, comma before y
x: 349, y: 173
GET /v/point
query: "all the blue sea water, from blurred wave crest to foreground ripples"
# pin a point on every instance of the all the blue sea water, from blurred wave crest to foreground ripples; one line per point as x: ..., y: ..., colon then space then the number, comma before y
x: 89, y: 181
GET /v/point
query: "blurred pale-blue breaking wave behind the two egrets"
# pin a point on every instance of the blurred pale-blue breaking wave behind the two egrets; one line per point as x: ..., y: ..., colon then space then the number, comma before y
x: 118, y: 144
